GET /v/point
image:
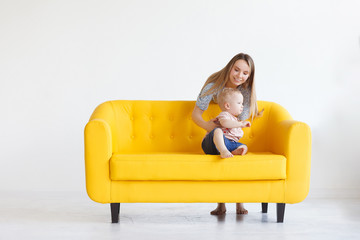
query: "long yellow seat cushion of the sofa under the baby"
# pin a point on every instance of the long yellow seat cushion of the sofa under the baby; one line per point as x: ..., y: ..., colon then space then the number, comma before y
x: 197, y: 167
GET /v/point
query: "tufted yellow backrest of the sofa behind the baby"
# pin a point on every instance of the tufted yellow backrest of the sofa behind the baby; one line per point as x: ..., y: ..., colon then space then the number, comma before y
x: 166, y: 126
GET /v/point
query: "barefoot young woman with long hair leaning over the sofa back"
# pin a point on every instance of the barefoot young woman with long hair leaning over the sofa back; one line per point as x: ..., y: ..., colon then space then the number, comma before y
x: 238, y: 73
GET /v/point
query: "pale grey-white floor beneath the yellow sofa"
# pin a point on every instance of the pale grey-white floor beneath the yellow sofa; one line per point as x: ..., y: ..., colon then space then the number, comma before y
x: 51, y: 215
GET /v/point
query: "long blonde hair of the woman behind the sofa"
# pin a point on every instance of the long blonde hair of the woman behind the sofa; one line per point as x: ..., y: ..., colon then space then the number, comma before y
x: 221, y: 77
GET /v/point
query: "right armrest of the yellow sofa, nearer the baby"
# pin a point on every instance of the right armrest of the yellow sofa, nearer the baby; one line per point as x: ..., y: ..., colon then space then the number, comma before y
x: 293, y: 140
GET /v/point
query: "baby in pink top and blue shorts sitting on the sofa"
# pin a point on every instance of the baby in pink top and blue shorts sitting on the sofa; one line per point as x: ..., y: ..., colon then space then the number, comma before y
x: 225, y: 140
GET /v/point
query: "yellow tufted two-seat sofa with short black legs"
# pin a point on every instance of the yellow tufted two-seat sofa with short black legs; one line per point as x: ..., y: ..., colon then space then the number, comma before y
x: 150, y: 151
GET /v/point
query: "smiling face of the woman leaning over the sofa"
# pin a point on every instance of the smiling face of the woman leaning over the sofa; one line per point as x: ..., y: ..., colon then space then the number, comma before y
x: 239, y: 73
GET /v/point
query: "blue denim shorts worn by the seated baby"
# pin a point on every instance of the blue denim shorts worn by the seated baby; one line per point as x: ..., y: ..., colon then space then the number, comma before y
x: 209, y: 147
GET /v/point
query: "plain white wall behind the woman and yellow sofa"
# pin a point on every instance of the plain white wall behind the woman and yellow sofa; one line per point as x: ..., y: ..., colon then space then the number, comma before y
x: 60, y: 59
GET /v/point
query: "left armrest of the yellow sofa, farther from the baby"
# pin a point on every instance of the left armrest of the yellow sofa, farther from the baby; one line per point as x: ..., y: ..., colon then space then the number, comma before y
x: 98, y: 151
